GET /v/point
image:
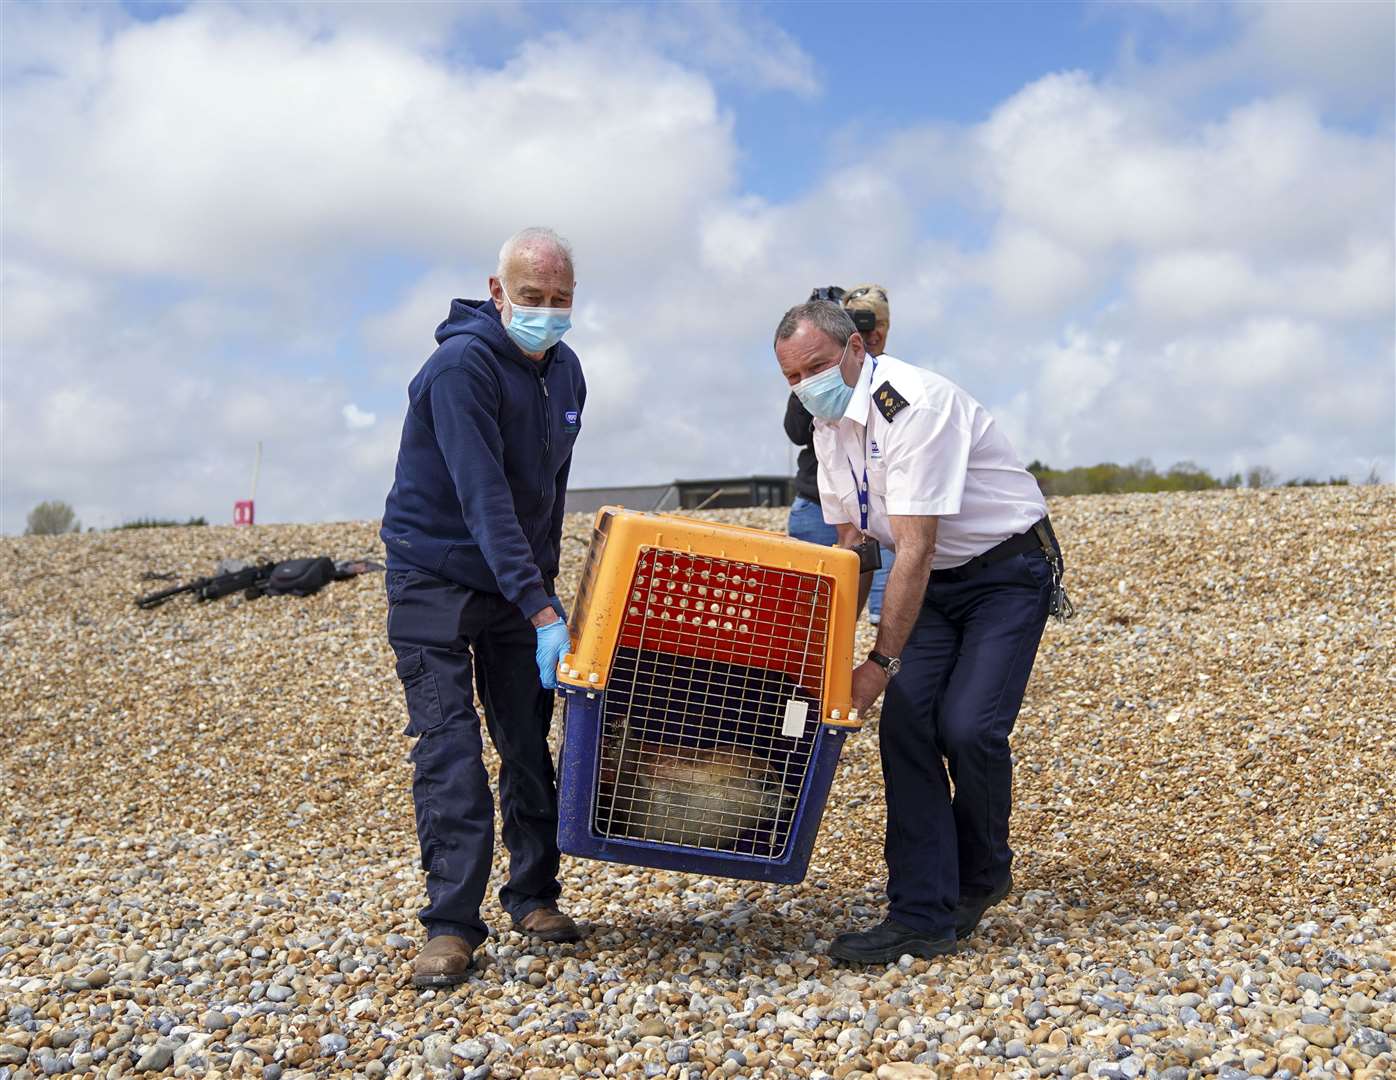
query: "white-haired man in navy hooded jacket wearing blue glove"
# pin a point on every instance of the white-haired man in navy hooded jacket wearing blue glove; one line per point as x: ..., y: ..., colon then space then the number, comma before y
x: 473, y: 528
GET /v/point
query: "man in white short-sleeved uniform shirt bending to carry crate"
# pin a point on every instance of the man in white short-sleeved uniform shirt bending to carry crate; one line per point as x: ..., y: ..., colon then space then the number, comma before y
x: 912, y: 461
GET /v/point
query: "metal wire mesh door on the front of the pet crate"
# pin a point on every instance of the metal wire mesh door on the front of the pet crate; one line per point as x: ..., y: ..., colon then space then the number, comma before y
x: 713, y: 705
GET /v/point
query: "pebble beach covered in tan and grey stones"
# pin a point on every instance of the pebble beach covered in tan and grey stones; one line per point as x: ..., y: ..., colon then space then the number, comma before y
x: 209, y: 867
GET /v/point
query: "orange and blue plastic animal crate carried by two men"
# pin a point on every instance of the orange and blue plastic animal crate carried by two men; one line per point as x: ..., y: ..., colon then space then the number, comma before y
x: 707, y: 697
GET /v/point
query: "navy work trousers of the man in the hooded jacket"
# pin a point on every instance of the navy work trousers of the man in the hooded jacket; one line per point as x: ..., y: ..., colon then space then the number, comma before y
x: 447, y: 638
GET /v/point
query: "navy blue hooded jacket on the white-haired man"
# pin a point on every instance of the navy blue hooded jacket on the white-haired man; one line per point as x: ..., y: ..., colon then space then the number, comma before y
x: 482, y: 471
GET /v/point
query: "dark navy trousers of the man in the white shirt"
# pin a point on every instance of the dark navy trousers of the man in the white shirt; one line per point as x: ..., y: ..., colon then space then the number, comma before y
x: 964, y: 675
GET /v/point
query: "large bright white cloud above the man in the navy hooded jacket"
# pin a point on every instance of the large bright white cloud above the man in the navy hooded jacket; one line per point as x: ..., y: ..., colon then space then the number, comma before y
x: 281, y: 149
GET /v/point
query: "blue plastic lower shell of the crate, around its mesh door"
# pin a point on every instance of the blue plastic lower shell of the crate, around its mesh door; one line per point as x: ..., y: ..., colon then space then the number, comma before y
x: 579, y: 778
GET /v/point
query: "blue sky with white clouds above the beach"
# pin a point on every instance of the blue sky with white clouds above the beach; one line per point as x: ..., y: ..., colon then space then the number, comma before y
x: 1133, y: 231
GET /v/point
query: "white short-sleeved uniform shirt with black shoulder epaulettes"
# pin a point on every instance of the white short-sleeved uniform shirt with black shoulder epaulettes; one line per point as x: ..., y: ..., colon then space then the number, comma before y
x: 940, y: 456
